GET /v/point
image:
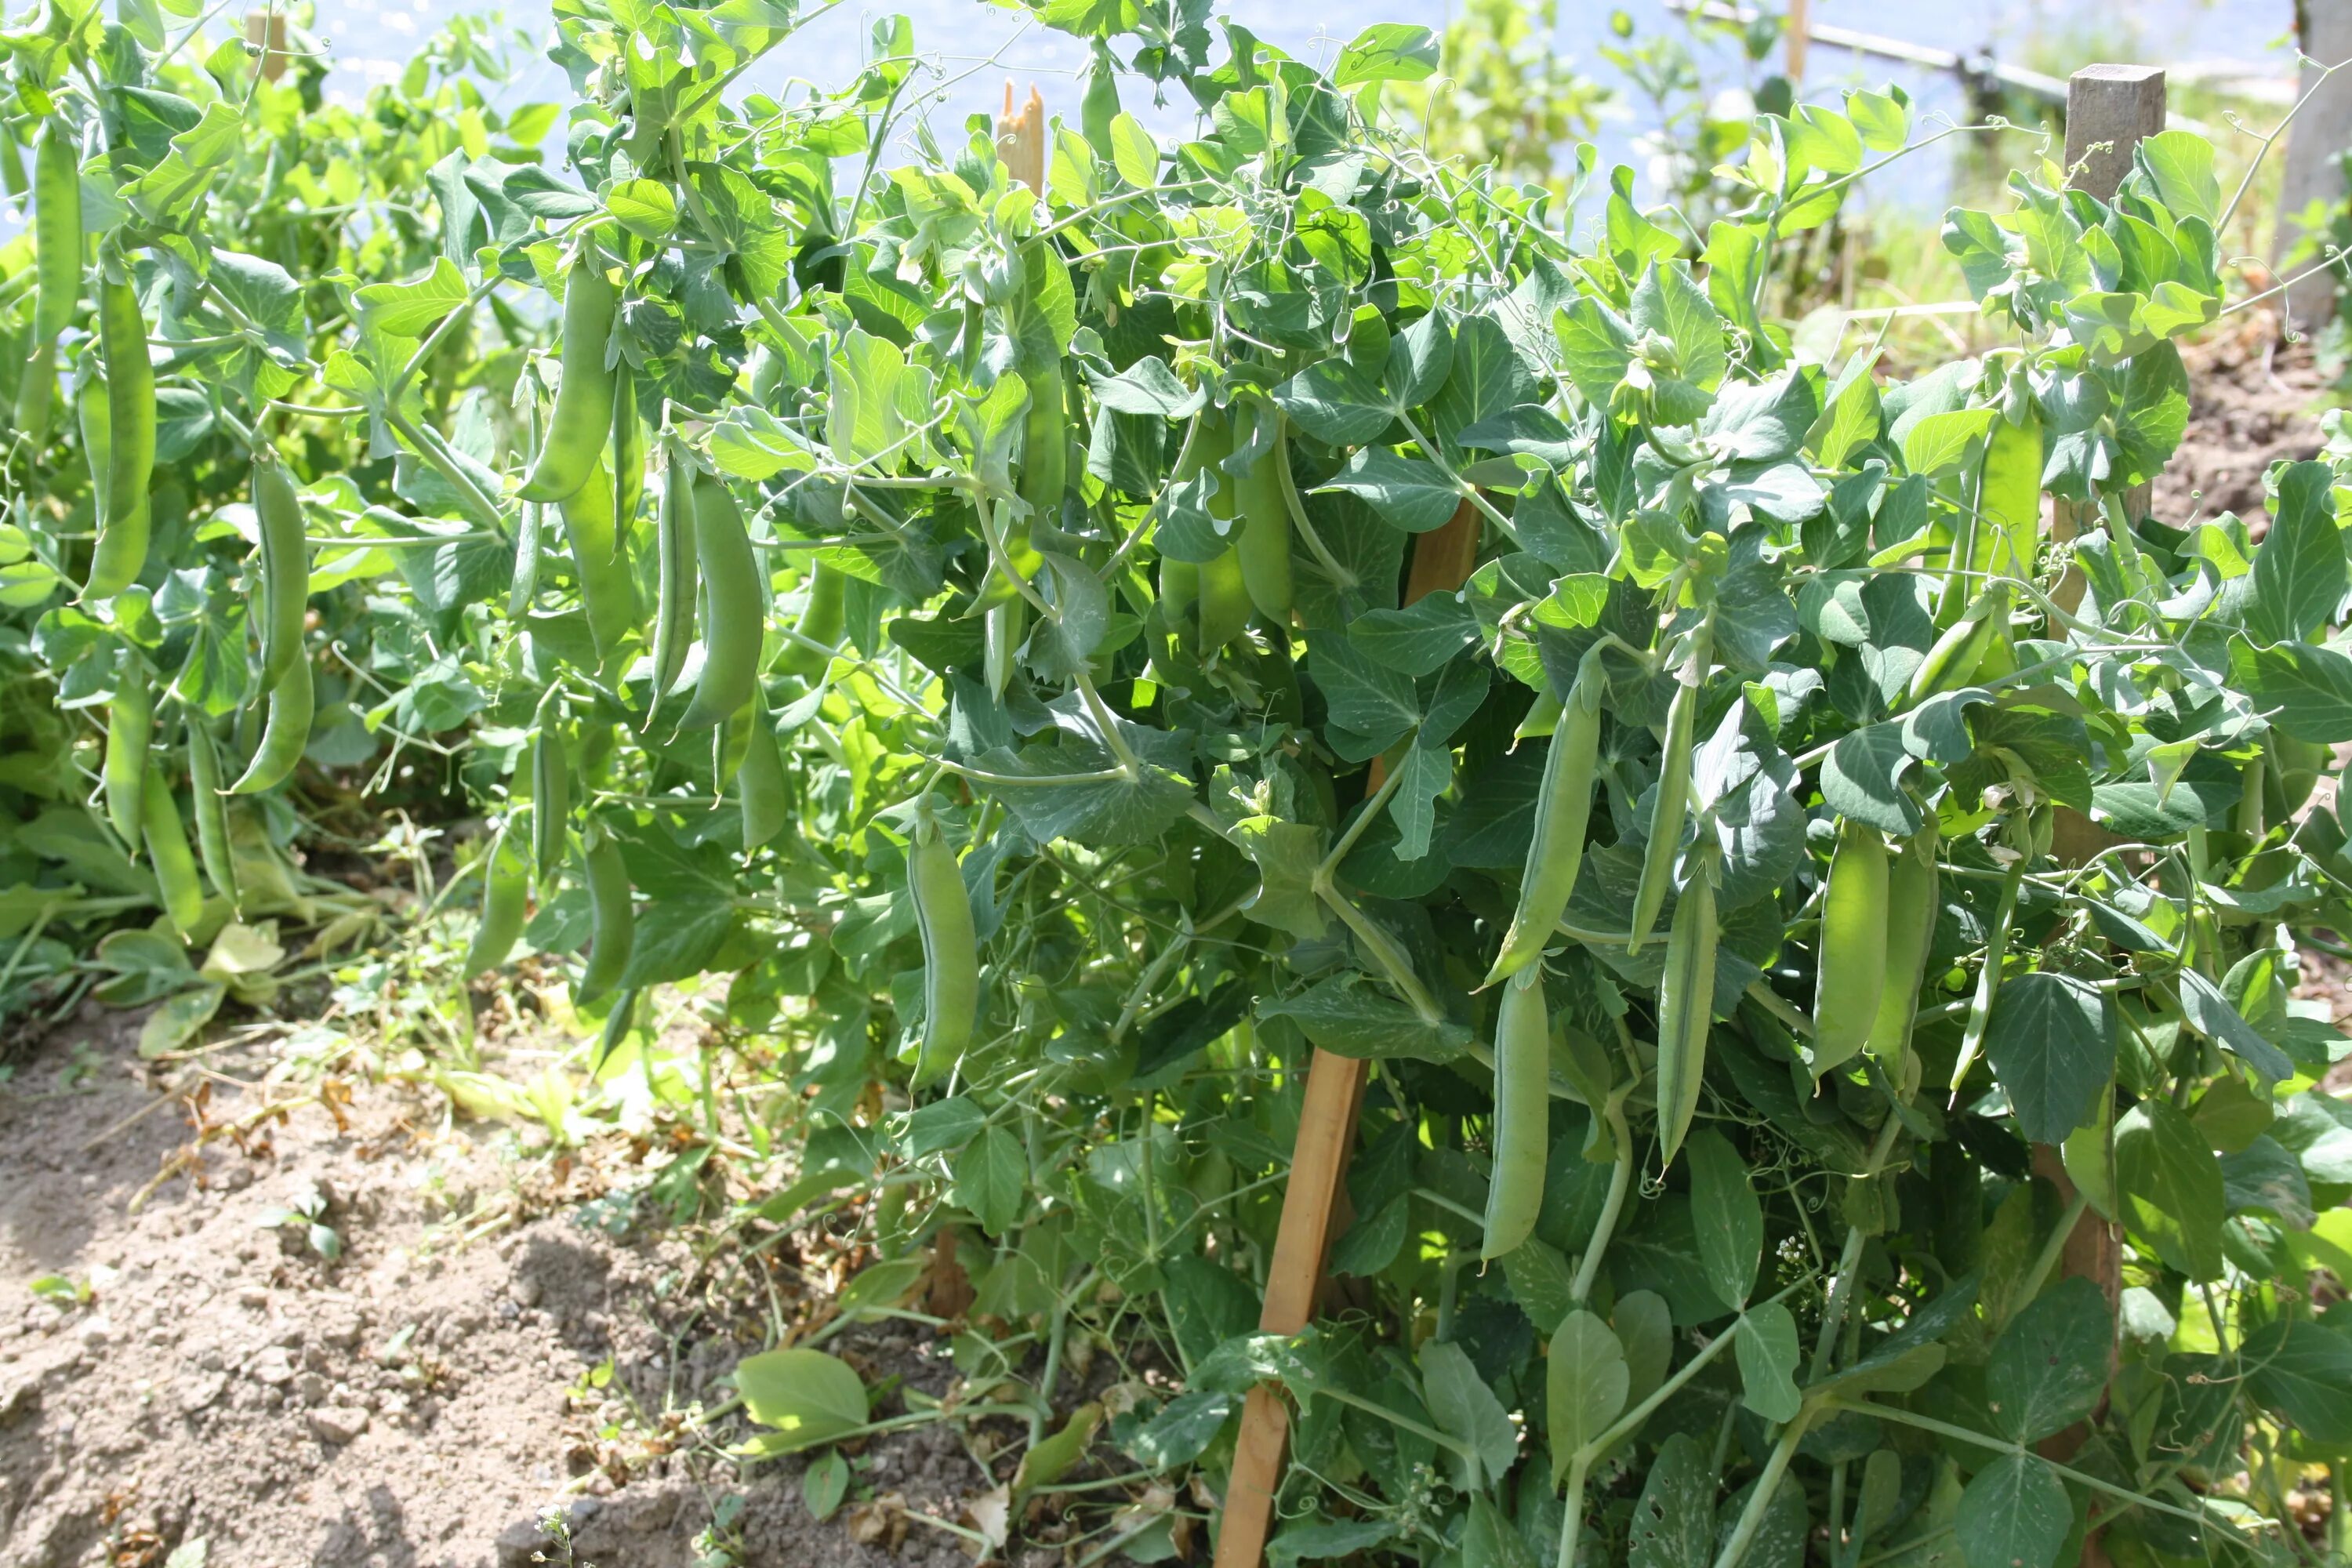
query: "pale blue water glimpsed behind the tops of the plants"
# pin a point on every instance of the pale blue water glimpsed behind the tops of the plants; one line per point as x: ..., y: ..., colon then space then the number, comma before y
x: 989, y: 43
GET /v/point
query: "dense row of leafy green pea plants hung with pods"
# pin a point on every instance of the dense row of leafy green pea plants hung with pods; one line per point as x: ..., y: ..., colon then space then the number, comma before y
x: 1819, y: 890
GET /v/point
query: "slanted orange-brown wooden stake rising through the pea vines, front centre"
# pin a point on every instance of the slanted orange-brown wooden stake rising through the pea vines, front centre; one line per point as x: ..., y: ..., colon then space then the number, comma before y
x: 1316, y: 1195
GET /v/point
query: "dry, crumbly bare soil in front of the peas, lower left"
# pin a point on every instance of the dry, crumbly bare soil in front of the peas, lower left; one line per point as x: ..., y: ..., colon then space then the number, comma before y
x: 349, y: 1334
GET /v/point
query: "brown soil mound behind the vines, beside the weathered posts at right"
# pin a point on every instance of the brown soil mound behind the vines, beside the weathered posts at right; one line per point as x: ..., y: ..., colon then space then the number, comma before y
x: 2254, y: 401
